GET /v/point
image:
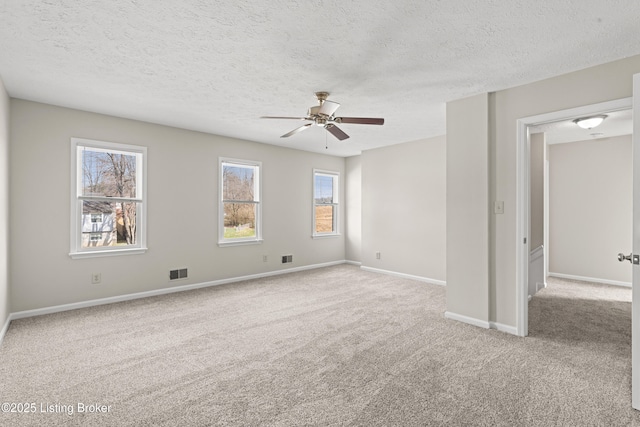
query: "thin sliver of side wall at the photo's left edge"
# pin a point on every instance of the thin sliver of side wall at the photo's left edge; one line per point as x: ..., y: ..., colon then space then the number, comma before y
x: 5, y: 307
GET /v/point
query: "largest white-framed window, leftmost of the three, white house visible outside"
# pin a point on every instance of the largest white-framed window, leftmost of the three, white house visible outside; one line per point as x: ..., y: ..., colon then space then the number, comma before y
x: 108, y: 198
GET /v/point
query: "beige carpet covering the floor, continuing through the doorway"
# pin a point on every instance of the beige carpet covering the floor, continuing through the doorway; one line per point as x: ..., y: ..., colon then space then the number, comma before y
x: 333, y: 346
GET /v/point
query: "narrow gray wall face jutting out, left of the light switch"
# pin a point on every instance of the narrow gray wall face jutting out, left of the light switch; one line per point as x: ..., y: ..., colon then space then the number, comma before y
x: 468, y: 207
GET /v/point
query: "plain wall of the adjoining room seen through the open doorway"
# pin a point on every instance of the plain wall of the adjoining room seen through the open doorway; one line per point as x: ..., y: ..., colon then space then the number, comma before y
x: 590, y: 205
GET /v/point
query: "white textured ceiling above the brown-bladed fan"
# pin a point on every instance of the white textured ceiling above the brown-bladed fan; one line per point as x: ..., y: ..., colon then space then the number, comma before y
x: 216, y: 66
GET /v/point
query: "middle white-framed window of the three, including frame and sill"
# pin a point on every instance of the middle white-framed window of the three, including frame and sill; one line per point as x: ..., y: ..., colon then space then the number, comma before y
x: 240, y: 208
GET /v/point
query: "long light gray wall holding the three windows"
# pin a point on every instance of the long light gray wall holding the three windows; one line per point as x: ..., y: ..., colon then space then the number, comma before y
x: 182, y: 208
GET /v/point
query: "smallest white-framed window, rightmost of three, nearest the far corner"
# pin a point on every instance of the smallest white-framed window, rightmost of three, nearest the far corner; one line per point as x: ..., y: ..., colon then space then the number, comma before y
x: 325, y: 203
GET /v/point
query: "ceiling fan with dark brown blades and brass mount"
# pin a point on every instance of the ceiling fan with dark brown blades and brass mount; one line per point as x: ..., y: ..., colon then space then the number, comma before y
x: 323, y: 115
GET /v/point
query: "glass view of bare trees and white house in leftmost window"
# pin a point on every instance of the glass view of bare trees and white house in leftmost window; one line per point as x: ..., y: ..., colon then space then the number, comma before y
x: 108, y: 190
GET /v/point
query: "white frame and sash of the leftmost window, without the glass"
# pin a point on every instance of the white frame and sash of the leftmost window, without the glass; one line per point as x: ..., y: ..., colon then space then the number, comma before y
x: 76, y: 249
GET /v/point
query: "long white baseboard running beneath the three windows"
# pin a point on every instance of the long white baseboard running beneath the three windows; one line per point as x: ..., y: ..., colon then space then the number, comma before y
x: 156, y: 292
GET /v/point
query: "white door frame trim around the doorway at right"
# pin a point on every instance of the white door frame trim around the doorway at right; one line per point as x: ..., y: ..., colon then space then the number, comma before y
x: 522, y: 194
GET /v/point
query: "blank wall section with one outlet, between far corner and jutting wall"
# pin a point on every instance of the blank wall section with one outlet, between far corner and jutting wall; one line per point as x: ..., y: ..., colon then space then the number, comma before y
x: 404, y: 209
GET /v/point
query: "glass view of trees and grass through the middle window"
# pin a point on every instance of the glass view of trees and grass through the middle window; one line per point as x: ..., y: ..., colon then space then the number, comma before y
x: 239, y: 199
